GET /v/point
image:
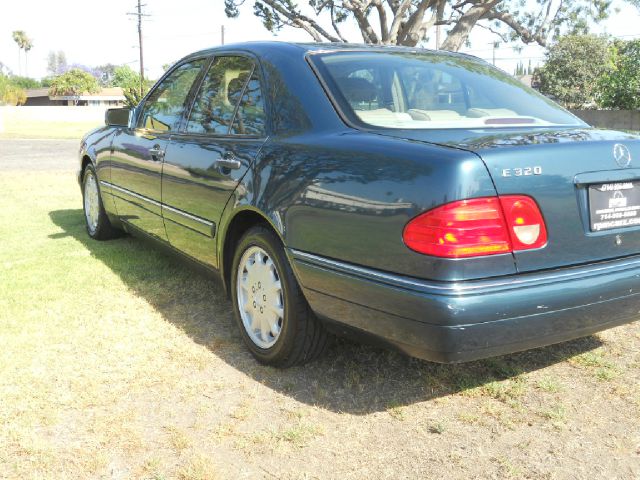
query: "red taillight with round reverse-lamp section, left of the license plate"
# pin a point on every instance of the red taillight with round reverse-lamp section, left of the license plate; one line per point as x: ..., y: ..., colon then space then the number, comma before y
x: 477, y: 227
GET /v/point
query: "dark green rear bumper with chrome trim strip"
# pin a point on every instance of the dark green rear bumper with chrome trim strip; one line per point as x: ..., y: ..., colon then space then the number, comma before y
x: 463, y: 321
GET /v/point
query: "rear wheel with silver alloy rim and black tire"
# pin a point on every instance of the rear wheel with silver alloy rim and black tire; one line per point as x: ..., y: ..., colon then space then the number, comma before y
x: 276, y: 322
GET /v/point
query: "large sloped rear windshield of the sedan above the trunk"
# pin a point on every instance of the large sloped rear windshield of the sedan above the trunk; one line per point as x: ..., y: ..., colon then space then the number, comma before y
x: 432, y: 90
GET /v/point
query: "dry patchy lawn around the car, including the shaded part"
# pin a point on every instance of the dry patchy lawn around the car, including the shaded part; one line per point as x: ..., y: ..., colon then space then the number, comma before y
x: 117, y: 361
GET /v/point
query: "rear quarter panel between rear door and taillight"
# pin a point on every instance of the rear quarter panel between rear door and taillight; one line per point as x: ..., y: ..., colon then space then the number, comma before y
x: 347, y: 196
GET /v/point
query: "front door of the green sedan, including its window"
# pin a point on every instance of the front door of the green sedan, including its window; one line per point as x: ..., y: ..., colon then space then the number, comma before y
x: 136, y: 160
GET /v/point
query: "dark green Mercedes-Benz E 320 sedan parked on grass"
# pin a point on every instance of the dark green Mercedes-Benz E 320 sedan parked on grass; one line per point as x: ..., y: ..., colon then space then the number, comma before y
x: 424, y: 199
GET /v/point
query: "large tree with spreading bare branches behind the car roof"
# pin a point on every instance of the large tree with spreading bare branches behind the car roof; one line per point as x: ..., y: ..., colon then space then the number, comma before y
x: 408, y: 22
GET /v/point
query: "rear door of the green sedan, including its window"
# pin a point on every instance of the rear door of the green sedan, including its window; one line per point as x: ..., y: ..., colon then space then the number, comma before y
x: 207, y: 158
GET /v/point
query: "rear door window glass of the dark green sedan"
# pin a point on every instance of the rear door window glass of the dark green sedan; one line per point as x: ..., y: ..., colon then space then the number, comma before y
x: 229, y: 100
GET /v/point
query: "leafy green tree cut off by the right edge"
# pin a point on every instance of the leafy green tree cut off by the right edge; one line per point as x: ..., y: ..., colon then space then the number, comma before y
x: 620, y: 86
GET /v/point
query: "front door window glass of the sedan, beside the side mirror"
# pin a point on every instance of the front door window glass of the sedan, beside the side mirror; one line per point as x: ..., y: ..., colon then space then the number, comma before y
x: 165, y: 106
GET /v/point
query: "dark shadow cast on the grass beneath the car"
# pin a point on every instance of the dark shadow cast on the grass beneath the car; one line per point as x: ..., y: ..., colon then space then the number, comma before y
x: 350, y: 378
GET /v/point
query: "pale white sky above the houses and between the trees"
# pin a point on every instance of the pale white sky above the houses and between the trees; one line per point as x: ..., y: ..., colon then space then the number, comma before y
x: 95, y: 33
